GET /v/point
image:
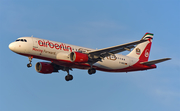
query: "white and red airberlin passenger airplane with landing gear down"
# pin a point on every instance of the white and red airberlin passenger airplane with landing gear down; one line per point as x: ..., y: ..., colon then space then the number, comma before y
x: 65, y: 57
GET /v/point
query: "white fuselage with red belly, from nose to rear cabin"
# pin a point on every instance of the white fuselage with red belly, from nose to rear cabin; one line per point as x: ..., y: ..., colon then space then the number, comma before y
x: 59, y: 53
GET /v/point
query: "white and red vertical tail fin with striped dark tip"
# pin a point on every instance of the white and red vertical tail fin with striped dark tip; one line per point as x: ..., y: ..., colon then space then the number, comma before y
x: 142, y: 50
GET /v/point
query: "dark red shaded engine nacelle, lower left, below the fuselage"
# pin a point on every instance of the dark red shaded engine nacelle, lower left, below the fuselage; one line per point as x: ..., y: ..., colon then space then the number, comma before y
x: 44, y: 67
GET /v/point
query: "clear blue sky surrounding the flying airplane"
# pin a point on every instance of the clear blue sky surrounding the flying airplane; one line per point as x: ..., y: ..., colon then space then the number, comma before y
x: 93, y: 24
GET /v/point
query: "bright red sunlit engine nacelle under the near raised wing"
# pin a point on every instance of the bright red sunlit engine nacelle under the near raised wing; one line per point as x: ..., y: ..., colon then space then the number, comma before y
x: 78, y: 57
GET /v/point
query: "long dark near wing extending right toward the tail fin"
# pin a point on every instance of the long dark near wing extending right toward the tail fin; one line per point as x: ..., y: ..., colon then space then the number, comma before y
x: 101, y: 53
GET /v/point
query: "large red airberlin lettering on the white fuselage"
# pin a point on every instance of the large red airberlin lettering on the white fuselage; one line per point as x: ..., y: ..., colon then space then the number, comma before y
x: 54, y: 45
